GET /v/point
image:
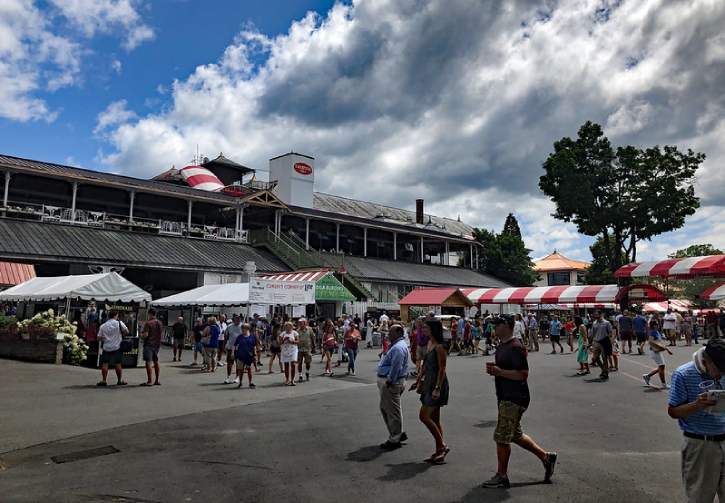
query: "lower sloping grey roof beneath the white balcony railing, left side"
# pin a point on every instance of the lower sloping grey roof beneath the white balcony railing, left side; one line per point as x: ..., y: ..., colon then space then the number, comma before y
x: 35, y: 241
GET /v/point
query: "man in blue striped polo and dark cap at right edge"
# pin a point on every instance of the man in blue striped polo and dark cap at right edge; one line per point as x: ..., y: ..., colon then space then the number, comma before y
x: 703, y: 455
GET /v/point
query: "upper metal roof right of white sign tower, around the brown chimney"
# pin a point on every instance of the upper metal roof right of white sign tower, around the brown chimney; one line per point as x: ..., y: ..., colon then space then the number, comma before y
x: 387, y: 215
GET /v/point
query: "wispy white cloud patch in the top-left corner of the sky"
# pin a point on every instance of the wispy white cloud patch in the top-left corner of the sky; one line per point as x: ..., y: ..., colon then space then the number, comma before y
x: 35, y: 58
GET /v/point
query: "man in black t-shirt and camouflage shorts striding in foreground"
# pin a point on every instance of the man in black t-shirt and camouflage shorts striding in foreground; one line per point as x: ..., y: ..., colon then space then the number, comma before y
x: 511, y: 372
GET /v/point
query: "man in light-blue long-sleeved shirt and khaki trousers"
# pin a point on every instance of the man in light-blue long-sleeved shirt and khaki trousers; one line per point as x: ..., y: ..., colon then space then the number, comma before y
x: 392, y: 369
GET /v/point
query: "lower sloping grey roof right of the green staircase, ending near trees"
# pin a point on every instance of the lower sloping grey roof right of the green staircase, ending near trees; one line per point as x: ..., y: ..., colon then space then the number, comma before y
x: 389, y: 271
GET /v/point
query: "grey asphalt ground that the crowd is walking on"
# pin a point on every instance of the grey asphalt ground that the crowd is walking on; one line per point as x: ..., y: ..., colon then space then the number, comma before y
x: 193, y: 439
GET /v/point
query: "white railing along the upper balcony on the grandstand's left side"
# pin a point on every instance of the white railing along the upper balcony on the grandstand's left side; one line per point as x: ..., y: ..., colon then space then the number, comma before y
x: 103, y: 220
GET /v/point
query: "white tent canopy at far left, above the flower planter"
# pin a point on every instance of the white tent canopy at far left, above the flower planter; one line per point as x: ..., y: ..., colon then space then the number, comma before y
x: 111, y: 287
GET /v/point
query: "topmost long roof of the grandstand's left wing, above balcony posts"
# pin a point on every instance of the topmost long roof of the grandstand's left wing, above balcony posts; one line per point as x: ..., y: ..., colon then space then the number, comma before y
x: 39, y: 168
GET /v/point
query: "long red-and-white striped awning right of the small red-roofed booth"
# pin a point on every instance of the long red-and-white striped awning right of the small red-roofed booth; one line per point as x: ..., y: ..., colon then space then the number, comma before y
x: 598, y: 294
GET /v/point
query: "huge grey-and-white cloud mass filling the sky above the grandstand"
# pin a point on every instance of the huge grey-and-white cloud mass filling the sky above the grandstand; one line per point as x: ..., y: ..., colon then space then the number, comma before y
x: 457, y: 102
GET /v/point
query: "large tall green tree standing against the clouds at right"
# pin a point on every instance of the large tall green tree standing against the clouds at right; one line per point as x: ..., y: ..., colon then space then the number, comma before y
x: 623, y: 196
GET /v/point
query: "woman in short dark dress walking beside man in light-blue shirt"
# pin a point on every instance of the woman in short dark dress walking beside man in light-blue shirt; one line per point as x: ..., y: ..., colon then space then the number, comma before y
x: 432, y: 385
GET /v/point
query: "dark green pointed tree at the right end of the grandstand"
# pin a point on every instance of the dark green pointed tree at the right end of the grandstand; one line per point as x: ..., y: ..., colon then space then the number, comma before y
x: 505, y: 255
